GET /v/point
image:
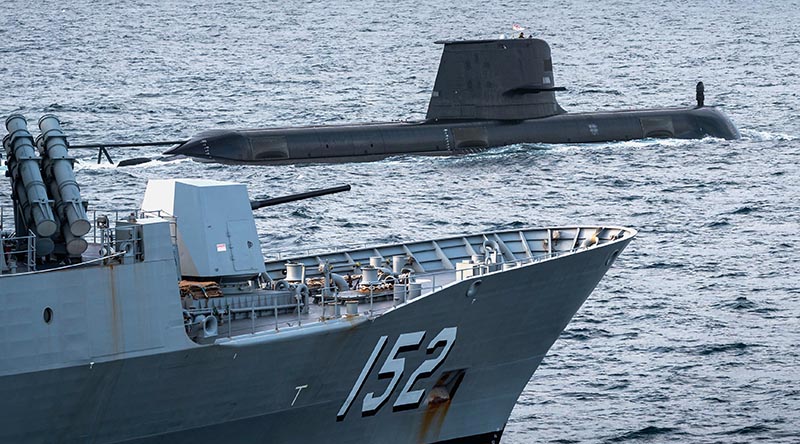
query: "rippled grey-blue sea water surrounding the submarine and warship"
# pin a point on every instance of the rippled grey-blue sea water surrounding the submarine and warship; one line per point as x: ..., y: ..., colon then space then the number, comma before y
x: 692, y: 336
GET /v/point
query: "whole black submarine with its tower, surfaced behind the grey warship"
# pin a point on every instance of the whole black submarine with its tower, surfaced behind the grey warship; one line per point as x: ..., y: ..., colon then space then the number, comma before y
x: 487, y: 93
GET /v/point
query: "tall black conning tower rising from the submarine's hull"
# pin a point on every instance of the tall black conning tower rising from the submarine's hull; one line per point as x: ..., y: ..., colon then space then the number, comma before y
x: 506, y: 79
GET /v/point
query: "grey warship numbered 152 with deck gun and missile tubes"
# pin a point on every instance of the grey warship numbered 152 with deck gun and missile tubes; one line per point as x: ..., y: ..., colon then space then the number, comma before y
x: 167, y: 324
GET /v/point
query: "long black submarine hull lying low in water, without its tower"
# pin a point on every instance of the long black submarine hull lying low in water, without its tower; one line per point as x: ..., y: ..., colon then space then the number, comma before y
x: 366, y: 142
